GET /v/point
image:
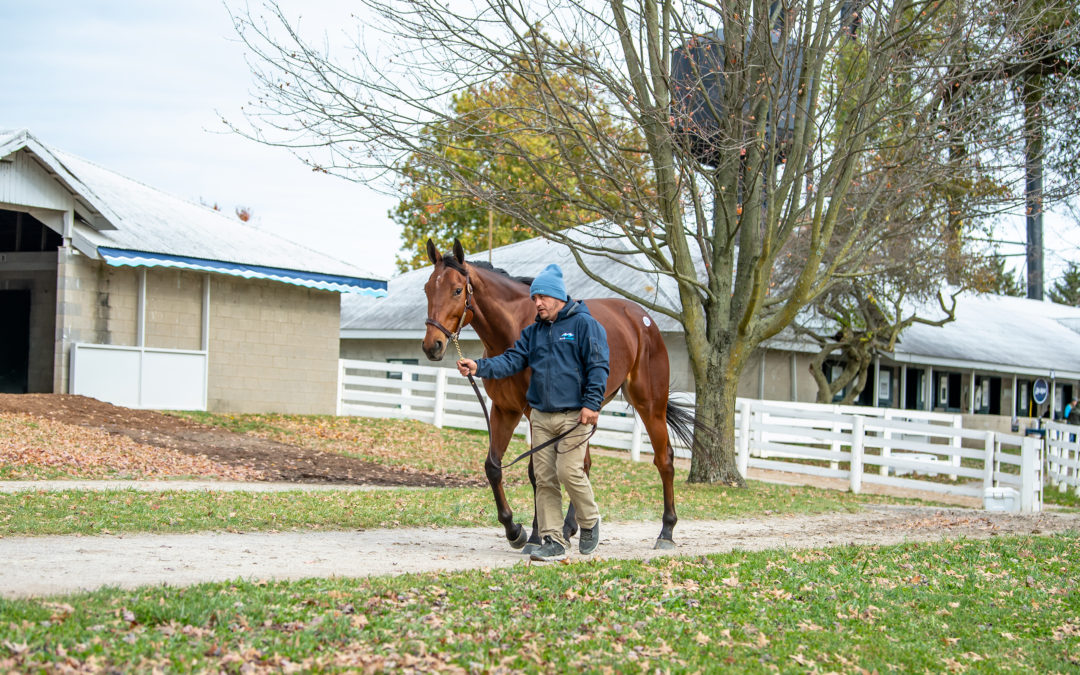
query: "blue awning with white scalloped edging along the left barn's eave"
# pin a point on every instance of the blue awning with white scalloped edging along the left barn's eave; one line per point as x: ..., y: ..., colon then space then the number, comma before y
x: 119, y: 258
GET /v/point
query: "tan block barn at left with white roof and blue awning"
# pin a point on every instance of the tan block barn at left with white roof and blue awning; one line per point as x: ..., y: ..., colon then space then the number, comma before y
x: 115, y: 290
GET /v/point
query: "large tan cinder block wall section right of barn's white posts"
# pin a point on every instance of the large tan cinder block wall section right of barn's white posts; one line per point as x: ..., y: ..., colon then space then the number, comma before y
x: 273, y: 348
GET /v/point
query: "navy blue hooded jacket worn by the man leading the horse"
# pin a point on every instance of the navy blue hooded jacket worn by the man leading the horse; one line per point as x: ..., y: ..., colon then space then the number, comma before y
x: 569, y: 357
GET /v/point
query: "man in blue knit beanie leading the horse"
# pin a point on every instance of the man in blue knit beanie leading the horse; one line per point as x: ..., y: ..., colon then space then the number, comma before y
x: 569, y: 354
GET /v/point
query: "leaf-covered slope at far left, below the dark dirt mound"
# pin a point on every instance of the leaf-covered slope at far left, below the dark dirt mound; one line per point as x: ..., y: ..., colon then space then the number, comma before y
x: 30, y: 444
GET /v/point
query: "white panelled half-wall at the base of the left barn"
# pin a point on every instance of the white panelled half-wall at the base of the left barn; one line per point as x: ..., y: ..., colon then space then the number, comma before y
x: 140, y: 377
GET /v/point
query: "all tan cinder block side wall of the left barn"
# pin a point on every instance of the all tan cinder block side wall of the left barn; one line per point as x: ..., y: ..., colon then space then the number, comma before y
x: 274, y: 348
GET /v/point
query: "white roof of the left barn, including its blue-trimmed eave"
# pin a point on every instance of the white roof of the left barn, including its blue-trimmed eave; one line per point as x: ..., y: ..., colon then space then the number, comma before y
x: 126, y: 223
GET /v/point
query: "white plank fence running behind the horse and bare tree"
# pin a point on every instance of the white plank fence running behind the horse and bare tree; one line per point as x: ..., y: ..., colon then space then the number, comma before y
x: 927, y: 452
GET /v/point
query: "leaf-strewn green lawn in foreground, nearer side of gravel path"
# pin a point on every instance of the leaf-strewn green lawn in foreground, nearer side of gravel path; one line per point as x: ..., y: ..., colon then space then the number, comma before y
x: 1005, y: 605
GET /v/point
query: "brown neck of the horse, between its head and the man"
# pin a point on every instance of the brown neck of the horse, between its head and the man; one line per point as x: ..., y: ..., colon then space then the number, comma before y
x: 501, y: 310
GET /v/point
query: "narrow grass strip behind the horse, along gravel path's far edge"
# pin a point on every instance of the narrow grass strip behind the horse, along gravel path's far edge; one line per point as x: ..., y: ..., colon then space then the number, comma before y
x: 625, y: 491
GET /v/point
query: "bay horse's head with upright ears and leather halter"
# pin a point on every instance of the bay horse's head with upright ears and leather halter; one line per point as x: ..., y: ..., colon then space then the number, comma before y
x: 449, y: 293
